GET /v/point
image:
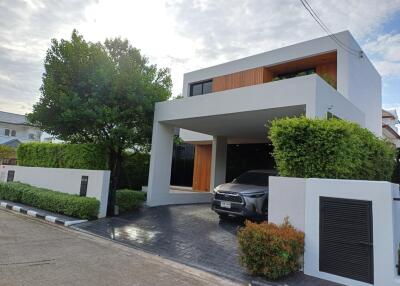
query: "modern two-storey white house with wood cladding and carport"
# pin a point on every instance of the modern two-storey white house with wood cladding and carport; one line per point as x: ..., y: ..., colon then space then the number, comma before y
x: 225, y: 108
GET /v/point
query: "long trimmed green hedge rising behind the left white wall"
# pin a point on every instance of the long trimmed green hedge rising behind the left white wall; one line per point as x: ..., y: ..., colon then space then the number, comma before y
x: 74, y: 156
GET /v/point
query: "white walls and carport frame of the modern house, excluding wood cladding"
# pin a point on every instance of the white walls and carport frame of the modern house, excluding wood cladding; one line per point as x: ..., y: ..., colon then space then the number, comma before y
x: 241, y: 114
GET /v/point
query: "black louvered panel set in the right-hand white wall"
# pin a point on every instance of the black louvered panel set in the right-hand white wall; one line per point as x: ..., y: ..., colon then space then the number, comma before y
x: 345, y: 238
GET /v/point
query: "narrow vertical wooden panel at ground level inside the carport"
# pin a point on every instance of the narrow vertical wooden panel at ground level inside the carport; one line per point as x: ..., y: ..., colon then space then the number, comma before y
x: 202, y: 168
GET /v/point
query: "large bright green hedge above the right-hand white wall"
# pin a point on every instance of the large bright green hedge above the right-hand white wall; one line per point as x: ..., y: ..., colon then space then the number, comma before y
x: 333, y: 148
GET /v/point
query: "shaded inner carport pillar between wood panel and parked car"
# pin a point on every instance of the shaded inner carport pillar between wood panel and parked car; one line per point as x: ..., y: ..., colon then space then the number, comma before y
x: 218, y: 161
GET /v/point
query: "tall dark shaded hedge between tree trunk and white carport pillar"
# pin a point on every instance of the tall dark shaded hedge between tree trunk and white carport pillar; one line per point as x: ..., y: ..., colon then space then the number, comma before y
x: 135, y: 170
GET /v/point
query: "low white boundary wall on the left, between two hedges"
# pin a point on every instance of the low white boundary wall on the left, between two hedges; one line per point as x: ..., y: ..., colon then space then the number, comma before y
x: 63, y: 180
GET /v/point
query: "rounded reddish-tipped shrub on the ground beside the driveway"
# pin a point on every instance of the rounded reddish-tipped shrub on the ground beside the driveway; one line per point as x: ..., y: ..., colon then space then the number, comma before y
x: 270, y: 250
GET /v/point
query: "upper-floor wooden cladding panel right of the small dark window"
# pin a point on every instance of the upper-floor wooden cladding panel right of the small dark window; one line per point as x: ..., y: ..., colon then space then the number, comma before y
x: 241, y: 79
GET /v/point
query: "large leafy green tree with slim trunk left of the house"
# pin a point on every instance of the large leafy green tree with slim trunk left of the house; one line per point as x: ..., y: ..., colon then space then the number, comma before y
x: 100, y: 93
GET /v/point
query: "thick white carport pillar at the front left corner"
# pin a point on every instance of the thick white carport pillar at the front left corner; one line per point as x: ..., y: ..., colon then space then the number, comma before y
x: 160, y: 164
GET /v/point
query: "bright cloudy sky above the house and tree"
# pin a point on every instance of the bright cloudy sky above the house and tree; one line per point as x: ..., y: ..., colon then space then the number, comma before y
x: 185, y: 35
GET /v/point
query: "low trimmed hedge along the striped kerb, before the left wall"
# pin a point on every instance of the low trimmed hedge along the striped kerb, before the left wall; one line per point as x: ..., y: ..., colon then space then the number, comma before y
x: 61, y: 203
